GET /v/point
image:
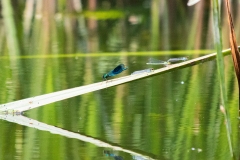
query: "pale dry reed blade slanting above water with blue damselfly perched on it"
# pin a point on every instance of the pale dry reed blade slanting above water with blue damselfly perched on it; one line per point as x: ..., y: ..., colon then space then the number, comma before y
x: 41, y: 100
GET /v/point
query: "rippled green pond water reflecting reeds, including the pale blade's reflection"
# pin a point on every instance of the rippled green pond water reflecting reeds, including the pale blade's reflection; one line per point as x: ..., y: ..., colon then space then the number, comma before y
x: 172, y: 116
